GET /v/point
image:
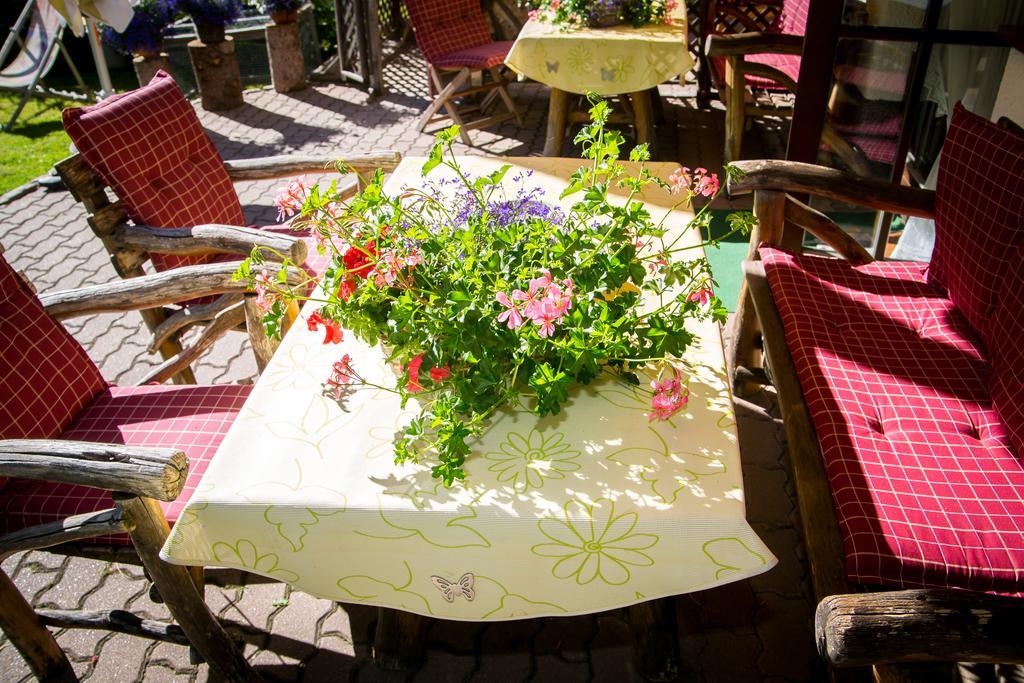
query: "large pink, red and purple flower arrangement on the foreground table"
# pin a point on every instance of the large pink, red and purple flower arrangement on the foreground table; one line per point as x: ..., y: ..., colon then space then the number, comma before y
x: 488, y: 297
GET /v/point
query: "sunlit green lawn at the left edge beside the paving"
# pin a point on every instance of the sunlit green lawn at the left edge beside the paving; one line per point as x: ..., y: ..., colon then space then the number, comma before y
x: 36, y: 143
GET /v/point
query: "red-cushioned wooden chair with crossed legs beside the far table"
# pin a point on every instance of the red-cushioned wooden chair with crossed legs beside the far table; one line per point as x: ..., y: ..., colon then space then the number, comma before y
x: 456, y: 42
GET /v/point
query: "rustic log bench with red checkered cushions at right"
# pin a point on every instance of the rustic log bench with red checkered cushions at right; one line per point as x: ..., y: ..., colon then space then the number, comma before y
x: 886, y: 600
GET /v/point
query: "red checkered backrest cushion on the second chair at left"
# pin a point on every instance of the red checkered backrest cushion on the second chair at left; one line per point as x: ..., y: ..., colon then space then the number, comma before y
x: 149, y: 146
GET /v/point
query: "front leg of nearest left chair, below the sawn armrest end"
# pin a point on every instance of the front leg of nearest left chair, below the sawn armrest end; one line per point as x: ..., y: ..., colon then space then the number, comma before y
x: 149, y: 532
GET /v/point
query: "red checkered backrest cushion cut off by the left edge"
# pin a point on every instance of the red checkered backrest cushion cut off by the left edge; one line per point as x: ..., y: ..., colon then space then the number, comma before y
x: 46, y: 376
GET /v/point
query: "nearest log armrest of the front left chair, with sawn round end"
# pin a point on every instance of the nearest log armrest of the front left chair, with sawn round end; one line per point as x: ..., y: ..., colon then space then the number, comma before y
x: 152, y: 473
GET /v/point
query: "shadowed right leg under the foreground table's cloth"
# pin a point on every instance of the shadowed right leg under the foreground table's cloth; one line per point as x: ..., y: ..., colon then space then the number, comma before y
x: 656, y: 641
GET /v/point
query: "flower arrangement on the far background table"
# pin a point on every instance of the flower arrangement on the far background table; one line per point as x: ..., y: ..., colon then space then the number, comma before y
x: 574, y: 14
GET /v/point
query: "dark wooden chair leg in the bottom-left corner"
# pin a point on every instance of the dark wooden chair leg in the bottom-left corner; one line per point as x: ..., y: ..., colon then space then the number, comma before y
x: 37, y: 646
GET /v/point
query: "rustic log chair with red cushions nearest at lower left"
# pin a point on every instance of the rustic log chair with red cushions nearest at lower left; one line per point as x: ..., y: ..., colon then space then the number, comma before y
x: 70, y: 444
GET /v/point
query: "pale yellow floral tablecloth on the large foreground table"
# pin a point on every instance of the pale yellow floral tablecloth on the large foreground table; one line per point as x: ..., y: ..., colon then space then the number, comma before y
x: 590, y: 510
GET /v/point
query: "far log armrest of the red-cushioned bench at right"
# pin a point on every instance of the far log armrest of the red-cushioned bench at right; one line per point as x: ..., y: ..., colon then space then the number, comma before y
x: 798, y: 178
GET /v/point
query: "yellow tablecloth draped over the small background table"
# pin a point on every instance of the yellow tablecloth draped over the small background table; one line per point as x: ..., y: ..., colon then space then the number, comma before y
x: 609, y: 62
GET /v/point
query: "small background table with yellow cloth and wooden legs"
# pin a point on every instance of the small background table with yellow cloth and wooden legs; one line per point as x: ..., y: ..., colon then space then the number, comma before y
x: 619, y: 61
